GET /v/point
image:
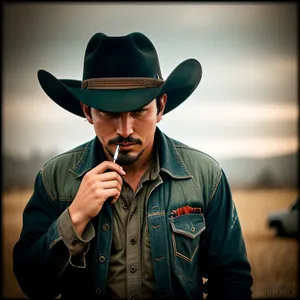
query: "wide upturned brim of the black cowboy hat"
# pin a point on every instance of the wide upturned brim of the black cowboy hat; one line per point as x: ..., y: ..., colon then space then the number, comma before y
x: 68, y: 93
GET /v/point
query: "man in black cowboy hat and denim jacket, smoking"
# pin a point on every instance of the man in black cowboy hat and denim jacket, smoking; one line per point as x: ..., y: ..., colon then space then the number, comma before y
x: 150, y: 225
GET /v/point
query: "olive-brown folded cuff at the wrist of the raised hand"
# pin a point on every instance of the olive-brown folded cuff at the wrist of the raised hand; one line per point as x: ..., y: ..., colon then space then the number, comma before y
x: 72, y: 240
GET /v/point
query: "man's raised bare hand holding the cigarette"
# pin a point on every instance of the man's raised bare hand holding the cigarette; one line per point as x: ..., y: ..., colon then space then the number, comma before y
x: 96, y: 187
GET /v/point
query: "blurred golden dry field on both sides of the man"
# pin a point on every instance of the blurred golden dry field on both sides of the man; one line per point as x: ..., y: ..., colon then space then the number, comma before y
x: 274, y: 260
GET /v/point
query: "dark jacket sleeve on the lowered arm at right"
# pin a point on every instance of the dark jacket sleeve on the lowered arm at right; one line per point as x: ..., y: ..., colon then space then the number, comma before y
x: 223, y: 254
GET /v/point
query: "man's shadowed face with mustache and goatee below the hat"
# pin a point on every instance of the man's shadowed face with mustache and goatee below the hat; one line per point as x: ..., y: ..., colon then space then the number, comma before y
x: 133, y: 131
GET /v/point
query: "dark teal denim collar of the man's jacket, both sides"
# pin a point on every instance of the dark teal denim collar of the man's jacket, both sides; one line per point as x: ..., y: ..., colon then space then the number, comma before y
x: 170, y: 160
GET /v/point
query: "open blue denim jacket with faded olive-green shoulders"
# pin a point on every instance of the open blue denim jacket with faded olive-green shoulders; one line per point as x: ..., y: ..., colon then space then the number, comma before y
x: 184, y: 248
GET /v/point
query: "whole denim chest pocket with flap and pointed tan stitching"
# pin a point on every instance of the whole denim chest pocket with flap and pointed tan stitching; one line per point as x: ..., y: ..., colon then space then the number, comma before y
x: 186, y: 232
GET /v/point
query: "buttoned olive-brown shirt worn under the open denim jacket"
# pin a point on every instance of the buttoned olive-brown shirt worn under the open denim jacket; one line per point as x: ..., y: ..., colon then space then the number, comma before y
x: 130, y: 272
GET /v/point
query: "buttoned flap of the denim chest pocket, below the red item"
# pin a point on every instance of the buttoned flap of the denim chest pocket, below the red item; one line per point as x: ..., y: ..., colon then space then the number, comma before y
x: 190, y: 225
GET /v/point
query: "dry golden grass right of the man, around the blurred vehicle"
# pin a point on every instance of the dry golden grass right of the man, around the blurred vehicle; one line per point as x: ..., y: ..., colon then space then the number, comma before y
x: 274, y: 260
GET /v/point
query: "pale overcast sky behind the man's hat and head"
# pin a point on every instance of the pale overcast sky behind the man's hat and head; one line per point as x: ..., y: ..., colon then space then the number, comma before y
x: 245, y: 104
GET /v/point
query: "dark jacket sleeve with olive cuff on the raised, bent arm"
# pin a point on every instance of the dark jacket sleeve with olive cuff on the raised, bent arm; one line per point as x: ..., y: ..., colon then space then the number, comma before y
x: 48, y: 244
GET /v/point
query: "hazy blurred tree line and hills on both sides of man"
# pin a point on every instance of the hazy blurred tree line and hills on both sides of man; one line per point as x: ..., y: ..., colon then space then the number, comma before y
x: 273, y: 172
